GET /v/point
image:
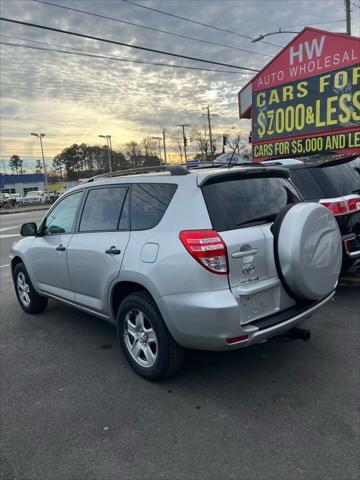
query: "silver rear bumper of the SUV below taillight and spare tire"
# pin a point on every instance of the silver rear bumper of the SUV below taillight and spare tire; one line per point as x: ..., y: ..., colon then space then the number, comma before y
x: 206, y: 320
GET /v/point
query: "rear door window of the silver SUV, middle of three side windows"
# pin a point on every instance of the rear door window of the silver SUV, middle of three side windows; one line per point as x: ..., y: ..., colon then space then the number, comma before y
x: 102, y: 209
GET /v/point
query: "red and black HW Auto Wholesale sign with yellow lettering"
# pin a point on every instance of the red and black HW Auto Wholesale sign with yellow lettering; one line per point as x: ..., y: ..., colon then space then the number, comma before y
x: 307, y: 99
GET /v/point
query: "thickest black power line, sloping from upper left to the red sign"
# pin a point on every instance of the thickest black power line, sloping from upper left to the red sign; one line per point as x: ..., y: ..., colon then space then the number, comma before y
x: 137, y: 47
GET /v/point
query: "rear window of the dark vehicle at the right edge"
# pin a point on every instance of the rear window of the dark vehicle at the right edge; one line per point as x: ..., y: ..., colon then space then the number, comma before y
x: 341, y: 179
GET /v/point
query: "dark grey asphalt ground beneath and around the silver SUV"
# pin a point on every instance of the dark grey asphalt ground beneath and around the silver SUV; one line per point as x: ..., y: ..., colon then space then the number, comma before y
x: 71, y: 408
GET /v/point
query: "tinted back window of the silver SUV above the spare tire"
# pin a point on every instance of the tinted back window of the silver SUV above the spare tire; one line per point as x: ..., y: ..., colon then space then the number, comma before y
x: 241, y: 203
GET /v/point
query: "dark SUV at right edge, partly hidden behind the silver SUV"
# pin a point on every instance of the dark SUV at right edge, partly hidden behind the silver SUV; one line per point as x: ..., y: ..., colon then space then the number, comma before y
x: 335, y: 183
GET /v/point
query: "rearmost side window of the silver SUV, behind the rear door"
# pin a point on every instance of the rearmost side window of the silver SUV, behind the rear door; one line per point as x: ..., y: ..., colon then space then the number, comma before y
x: 149, y: 202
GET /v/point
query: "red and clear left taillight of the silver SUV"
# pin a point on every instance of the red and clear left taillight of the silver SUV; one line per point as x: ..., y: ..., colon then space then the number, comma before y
x: 207, y: 248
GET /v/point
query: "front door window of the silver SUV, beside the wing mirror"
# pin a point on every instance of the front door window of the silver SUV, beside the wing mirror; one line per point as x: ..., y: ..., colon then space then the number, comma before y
x: 61, y: 218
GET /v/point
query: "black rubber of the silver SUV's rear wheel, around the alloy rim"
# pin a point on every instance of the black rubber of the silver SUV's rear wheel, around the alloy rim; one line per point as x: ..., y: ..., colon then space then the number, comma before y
x: 169, y: 355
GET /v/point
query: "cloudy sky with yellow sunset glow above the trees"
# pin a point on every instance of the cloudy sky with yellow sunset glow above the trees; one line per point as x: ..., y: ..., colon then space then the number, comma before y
x: 74, y: 98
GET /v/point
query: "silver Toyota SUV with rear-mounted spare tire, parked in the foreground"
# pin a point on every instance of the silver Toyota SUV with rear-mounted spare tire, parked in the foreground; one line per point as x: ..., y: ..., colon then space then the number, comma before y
x: 214, y: 259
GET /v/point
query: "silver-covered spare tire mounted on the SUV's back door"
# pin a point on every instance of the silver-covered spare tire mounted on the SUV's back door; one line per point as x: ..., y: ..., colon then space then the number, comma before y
x: 308, y: 250
